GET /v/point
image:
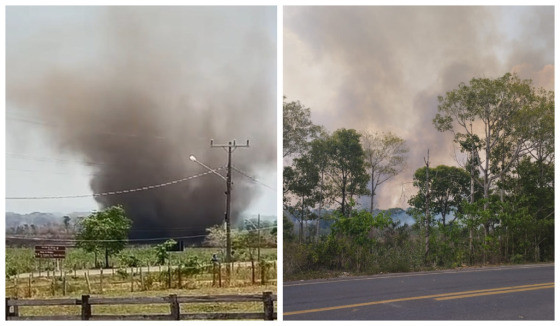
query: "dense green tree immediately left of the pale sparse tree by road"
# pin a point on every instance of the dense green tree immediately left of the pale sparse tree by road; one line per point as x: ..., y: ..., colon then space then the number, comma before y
x: 346, y: 172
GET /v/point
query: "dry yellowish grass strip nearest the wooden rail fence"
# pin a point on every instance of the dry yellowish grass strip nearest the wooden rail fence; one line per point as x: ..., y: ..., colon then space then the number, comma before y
x: 116, y: 286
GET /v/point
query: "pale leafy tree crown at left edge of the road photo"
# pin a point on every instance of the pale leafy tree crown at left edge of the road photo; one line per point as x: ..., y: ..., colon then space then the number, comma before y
x: 298, y: 128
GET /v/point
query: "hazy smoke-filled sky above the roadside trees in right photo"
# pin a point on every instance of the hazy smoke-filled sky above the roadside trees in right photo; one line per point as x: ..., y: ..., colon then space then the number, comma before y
x: 382, y: 68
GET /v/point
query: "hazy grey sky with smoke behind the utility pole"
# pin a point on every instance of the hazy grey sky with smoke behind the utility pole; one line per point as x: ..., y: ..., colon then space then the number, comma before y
x: 133, y: 91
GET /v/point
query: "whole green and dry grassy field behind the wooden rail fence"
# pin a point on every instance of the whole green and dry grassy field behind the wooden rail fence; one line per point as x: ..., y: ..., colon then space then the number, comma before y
x: 124, y: 281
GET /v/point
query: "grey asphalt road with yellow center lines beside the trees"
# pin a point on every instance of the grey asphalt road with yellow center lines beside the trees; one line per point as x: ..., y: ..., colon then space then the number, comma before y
x: 522, y: 292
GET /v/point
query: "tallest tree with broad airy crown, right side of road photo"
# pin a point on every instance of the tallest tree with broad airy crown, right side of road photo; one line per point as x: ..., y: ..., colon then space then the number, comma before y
x: 490, y: 109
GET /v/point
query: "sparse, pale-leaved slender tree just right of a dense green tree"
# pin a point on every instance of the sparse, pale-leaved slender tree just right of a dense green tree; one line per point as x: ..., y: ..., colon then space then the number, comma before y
x: 385, y: 157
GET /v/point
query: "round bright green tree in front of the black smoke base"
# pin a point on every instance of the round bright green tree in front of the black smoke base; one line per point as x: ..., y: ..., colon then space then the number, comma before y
x: 105, y: 231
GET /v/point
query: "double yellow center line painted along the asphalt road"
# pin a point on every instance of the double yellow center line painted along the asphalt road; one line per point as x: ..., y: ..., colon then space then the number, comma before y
x: 527, y: 287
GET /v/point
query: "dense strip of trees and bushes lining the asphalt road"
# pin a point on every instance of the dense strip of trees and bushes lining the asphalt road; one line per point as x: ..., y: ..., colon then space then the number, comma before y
x: 496, y: 206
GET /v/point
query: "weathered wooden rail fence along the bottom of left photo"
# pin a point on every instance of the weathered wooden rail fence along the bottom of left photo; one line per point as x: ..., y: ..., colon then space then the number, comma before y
x: 174, y: 301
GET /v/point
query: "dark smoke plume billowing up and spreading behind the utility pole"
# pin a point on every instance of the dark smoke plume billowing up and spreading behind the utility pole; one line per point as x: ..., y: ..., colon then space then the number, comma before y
x: 136, y: 90
